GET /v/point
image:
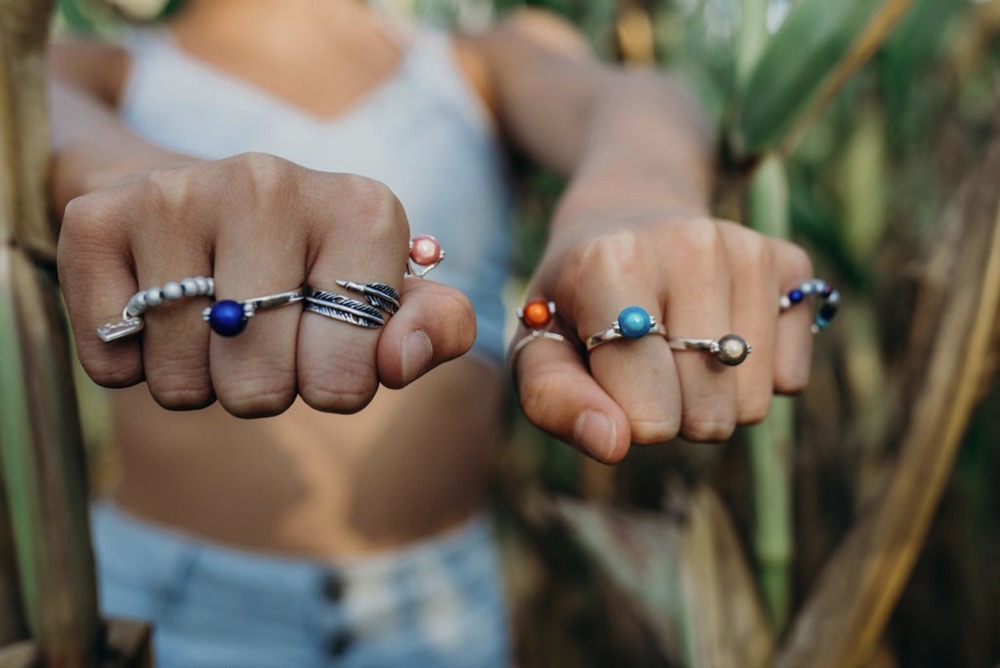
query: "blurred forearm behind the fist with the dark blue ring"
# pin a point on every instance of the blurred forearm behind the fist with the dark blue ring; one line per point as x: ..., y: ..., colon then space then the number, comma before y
x: 92, y: 147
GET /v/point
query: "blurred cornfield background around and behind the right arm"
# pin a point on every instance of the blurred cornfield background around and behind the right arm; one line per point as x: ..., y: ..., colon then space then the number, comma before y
x: 685, y: 549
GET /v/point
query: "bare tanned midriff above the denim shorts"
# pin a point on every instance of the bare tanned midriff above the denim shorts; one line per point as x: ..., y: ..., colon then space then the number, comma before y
x: 411, y: 465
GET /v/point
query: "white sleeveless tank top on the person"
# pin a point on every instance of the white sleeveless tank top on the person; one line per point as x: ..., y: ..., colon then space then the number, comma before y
x: 424, y: 133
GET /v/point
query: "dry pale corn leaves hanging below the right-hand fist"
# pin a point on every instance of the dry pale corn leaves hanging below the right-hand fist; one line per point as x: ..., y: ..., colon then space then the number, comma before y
x: 686, y: 576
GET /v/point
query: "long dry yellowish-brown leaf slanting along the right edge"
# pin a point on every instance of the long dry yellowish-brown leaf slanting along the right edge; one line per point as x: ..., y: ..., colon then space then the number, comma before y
x: 846, y: 614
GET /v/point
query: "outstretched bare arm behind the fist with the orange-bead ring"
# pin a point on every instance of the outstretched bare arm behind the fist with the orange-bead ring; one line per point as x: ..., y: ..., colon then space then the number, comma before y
x: 631, y: 141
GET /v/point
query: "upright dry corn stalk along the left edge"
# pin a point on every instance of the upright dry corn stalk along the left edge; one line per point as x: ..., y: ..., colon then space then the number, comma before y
x: 40, y: 442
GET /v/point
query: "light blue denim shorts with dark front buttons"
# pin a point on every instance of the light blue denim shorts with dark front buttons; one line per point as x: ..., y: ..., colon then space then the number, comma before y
x: 439, y: 603
